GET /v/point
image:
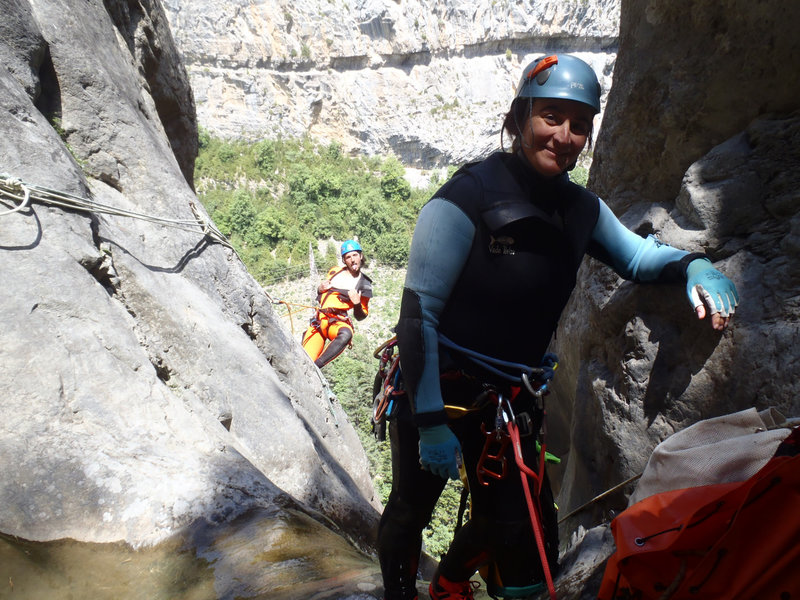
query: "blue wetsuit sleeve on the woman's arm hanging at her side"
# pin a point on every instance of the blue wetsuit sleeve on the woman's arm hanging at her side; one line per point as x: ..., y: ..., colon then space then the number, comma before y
x: 439, y: 249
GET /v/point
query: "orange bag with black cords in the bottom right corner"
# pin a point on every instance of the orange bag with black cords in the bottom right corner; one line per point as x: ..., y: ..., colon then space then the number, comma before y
x: 726, y: 541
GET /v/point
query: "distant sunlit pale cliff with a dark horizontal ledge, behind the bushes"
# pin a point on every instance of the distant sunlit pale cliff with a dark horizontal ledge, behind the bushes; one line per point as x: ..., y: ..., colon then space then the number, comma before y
x: 427, y: 80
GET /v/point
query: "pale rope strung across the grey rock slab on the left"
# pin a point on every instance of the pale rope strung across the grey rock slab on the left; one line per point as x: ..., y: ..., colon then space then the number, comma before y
x: 22, y: 193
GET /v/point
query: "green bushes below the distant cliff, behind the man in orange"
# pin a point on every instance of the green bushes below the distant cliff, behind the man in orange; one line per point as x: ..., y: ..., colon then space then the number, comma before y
x: 275, y: 198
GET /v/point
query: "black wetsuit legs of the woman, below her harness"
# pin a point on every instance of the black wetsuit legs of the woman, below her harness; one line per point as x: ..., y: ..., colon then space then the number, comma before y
x: 498, y: 532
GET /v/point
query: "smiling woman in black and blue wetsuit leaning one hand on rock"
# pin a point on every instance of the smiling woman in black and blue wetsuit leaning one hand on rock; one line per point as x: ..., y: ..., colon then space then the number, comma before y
x: 492, y: 264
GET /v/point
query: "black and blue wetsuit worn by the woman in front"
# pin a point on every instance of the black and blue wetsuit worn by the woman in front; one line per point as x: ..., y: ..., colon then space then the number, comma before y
x: 492, y: 264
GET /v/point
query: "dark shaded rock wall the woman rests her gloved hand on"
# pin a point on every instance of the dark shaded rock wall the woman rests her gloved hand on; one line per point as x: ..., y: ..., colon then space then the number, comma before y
x: 700, y: 144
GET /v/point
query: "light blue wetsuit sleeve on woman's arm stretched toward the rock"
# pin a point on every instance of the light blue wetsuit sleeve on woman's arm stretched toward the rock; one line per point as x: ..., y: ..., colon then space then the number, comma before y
x: 634, y: 257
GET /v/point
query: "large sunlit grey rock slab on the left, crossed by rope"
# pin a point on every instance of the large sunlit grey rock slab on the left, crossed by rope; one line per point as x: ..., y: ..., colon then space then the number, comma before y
x: 146, y: 382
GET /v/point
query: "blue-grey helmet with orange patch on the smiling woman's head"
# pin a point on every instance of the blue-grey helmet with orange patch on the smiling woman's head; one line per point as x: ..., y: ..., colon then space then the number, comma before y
x: 560, y: 76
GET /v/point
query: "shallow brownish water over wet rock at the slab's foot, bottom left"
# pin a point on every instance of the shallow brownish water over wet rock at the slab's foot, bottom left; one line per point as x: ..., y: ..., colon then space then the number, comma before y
x: 261, y: 555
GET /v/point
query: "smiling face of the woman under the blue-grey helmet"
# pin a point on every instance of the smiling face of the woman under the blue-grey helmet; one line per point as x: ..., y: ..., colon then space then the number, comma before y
x: 555, y: 134
